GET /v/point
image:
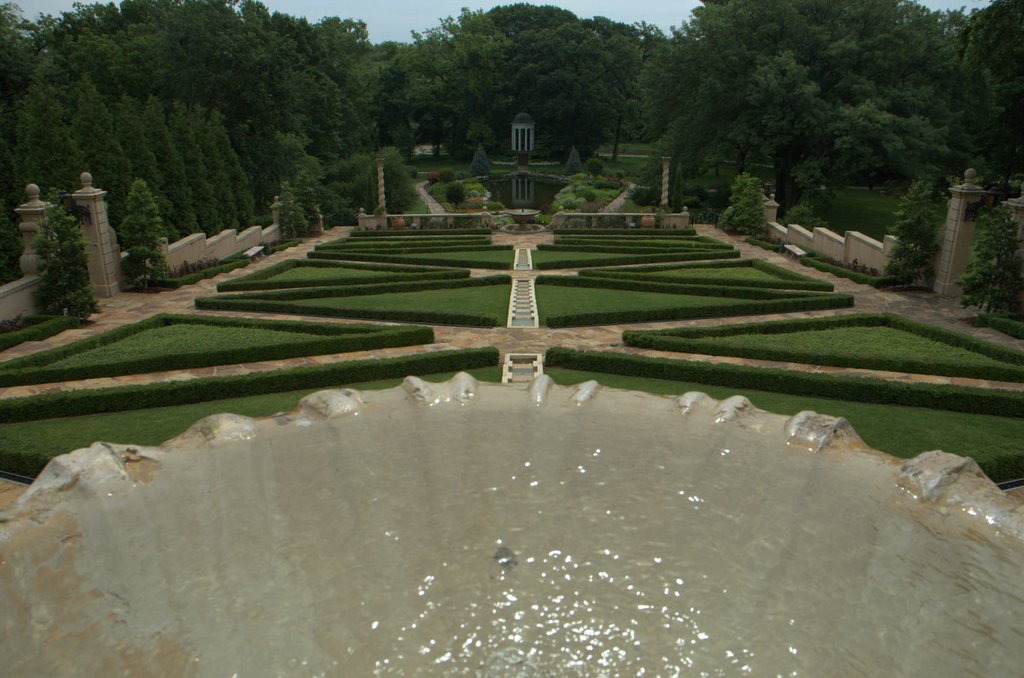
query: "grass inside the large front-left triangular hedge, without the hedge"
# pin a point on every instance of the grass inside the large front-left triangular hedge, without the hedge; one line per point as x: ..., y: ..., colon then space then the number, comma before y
x: 183, y: 340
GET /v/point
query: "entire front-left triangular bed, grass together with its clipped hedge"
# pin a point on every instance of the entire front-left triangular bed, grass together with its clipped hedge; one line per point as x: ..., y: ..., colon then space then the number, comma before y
x: 196, y: 342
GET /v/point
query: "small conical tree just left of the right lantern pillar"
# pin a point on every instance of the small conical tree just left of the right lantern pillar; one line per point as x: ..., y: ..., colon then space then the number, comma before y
x: 918, y: 219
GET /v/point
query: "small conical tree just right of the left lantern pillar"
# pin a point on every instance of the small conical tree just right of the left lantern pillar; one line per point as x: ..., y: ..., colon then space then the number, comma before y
x: 141, y: 232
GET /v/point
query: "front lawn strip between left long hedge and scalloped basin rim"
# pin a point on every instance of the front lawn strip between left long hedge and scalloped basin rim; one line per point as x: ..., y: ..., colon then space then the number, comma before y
x: 151, y: 428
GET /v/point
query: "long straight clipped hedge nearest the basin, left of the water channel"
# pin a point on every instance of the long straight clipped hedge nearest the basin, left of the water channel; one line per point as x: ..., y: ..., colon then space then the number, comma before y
x: 79, y: 403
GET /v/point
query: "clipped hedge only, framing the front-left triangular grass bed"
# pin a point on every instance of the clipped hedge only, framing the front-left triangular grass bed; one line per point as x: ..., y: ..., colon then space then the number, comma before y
x: 334, y: 340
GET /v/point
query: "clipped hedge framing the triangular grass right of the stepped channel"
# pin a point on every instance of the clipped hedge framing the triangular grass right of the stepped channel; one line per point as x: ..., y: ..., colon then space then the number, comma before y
x: 761, y: 302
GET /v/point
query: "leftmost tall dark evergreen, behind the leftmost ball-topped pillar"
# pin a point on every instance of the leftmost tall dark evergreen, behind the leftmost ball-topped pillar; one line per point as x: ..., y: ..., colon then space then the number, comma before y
x: 47, y: 153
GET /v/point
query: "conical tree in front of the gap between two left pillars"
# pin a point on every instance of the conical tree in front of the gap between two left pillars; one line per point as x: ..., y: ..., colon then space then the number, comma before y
x: 65, y: 288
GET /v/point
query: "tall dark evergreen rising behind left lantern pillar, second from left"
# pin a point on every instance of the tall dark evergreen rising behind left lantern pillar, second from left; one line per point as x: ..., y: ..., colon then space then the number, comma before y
x: 93, y: 125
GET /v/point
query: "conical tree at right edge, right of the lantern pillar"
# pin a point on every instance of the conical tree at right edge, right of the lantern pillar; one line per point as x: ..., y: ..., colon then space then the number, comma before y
x: 993, y: 281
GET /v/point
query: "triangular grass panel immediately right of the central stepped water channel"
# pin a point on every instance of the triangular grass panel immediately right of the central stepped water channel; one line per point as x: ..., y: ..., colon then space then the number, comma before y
x: 559, y: 301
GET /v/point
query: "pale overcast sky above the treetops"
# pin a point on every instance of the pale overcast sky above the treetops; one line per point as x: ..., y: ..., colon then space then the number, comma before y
x: 394, y: 20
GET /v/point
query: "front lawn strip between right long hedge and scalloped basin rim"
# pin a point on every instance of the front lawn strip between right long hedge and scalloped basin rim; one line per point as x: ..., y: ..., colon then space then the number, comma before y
x: 902, y: 432
